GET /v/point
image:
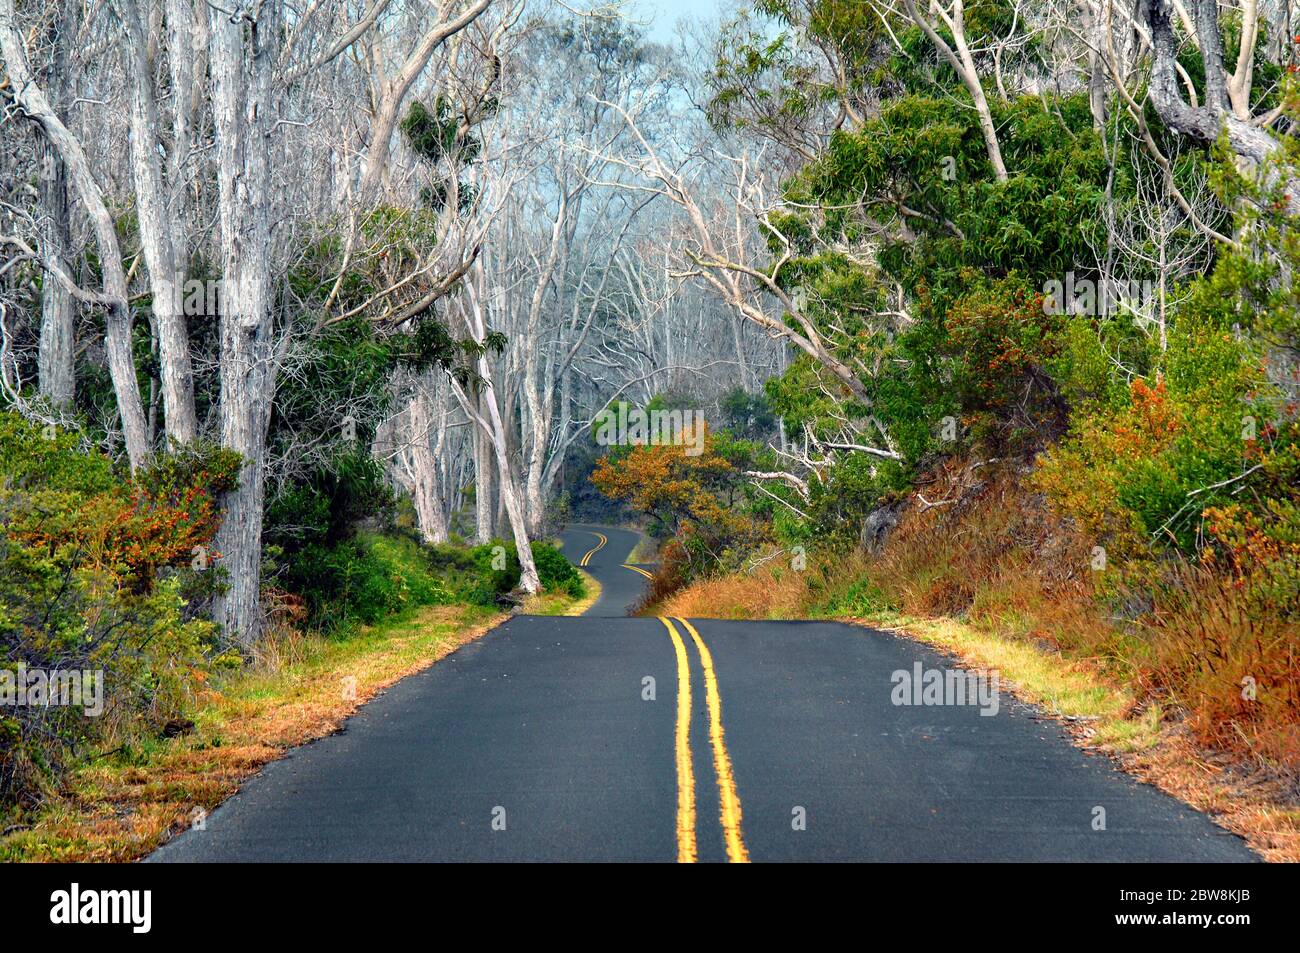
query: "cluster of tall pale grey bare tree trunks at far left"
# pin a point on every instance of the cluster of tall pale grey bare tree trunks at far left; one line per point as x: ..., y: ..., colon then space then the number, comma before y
x: 220, y: 207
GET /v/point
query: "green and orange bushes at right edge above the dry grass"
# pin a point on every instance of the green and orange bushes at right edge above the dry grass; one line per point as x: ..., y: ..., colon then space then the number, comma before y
x: 1204, y: 460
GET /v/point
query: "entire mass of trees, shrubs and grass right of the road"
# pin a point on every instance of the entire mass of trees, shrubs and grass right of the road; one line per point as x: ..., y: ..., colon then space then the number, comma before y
x: 1050, y: 398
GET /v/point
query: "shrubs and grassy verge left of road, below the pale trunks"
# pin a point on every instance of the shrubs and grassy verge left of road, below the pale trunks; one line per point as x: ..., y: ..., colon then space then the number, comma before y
x: 112, y: 575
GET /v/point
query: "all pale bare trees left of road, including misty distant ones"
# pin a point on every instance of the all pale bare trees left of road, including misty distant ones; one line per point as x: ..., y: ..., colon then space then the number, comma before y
x: 413, y: 209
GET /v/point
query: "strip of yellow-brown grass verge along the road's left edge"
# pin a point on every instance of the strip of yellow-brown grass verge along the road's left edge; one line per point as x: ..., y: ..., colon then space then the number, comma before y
x: 301, y: 688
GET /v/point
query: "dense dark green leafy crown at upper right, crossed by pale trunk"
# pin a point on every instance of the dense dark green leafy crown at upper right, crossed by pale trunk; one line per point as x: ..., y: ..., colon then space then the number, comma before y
x: 928, y: 157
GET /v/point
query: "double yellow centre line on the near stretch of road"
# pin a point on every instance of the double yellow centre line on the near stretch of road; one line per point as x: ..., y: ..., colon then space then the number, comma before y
x: 727, y: 796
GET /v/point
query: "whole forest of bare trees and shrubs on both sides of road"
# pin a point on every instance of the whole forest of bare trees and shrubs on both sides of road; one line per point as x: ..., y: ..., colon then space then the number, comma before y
x: 319, y: 315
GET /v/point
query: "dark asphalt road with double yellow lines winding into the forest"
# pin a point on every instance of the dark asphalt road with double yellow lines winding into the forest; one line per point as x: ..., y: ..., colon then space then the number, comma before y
x: 606, y: 738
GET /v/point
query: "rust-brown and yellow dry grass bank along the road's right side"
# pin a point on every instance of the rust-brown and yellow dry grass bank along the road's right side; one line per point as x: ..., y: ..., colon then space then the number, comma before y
x: 994, y: 579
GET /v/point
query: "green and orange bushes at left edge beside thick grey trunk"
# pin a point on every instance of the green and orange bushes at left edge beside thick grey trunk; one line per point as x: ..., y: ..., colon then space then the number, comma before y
x: 97, y: 575
